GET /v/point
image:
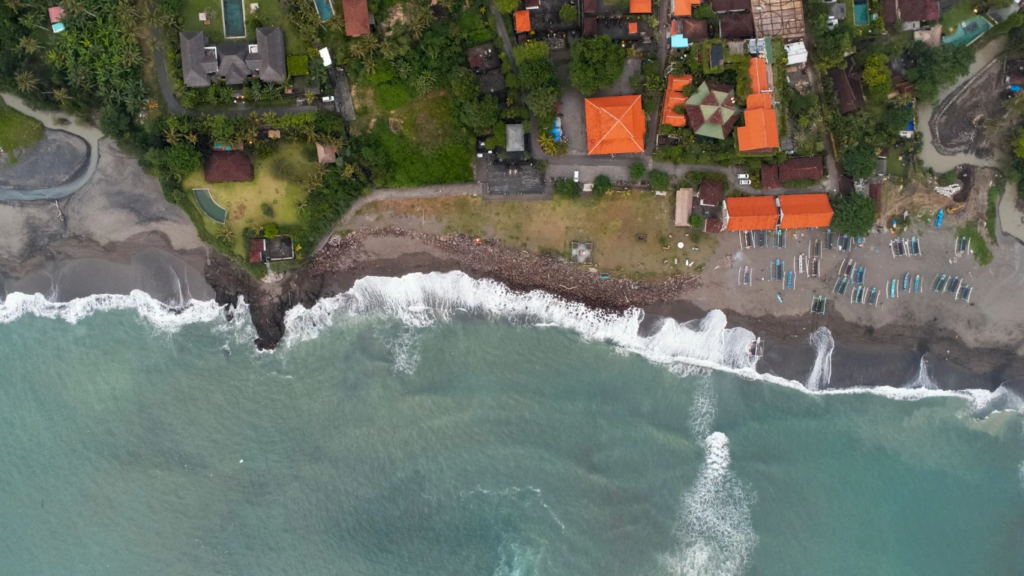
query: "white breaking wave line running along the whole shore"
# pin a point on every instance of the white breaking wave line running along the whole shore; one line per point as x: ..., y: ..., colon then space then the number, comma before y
x: 421, y: 300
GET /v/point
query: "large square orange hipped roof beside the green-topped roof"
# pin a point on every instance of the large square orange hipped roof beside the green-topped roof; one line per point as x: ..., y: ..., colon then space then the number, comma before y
x: 615, y: 126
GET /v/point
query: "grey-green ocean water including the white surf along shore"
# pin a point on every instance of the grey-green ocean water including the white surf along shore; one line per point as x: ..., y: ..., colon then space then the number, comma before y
x: 438, y: 425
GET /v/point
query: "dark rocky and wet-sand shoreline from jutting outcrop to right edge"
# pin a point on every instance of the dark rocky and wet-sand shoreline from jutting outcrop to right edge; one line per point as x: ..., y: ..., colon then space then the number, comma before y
x: 863, y: 356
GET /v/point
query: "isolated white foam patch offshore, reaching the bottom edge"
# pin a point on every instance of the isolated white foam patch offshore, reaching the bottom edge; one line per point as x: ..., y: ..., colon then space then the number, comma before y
x: 715, y: 531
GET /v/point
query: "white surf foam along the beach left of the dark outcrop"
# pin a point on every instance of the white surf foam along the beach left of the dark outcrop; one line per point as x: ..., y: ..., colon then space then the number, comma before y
x: 160, y: 315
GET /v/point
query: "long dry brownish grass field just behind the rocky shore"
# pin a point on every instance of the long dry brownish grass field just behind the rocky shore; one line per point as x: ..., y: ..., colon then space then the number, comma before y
x: 612, y: 224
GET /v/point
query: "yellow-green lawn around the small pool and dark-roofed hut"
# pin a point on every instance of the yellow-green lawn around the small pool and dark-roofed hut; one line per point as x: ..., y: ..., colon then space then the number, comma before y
x: 272, y: 187
